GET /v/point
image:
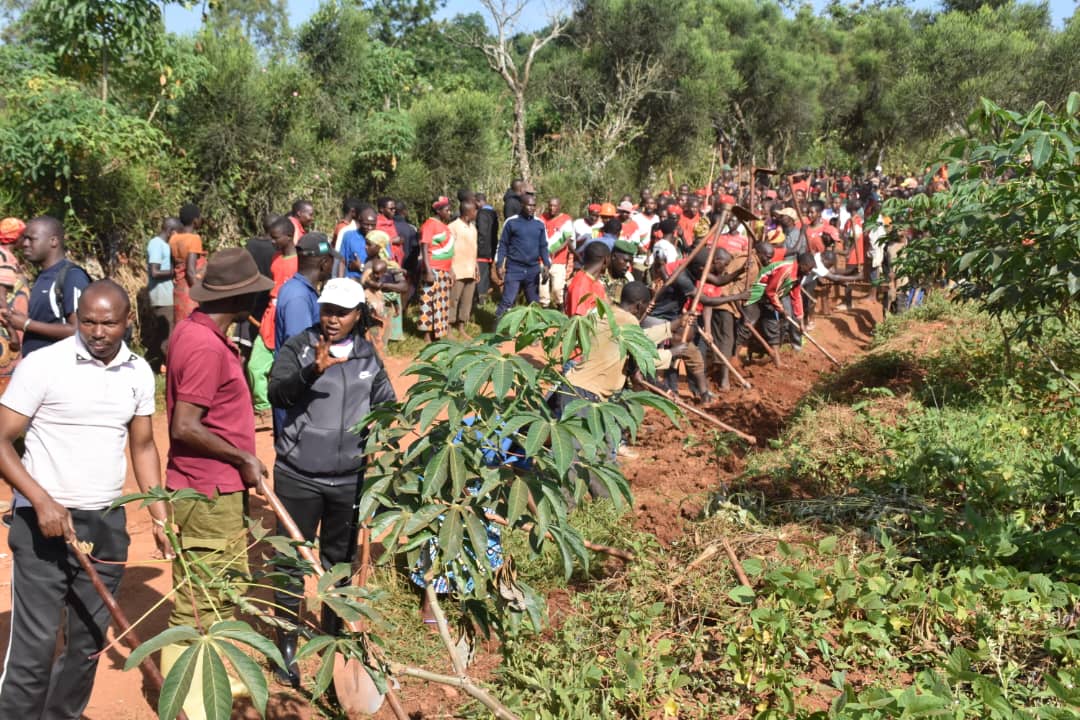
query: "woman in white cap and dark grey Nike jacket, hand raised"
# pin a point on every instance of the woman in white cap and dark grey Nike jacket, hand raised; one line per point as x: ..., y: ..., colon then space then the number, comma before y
x: 327, y: 379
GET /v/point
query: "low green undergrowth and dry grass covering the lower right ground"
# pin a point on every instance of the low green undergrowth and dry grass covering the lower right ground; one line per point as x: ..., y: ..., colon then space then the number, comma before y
x: 917, y: 559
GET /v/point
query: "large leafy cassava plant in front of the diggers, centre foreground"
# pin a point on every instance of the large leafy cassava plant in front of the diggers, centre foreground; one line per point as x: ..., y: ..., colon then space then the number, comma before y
x: 475, y: 444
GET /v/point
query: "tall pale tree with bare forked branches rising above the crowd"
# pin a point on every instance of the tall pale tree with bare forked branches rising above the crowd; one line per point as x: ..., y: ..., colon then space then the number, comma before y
x: 517, y: 72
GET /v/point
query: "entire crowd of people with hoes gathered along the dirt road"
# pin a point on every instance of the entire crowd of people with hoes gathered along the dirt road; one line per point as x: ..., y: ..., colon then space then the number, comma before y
x: 288, y: 334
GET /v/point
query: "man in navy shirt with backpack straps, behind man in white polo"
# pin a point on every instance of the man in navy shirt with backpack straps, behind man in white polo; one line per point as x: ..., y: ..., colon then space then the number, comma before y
x: 56, y: 294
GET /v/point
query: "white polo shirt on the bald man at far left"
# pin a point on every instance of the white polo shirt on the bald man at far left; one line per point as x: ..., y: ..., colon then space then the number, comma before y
x: 79, y: 412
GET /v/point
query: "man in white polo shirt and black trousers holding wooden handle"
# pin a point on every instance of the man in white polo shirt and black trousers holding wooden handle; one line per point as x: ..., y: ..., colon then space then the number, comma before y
x: 79, y: 401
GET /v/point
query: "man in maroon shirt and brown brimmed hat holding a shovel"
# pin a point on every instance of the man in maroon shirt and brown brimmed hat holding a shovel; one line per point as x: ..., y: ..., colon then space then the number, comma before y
x: 212, y: 433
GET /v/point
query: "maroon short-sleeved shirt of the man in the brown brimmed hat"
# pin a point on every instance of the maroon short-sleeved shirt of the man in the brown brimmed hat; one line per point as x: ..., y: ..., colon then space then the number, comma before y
x: 205, y: 370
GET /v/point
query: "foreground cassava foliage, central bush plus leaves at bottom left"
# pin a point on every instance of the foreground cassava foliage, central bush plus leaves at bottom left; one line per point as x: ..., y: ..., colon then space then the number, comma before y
x: 439, y: 471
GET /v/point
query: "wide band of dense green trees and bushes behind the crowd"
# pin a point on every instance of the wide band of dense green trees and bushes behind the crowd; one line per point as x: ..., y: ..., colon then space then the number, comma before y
x: 364, y: 99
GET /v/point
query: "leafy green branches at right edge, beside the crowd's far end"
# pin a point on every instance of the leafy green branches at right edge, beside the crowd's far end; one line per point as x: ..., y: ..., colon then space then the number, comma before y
x: 1008, y: 230
